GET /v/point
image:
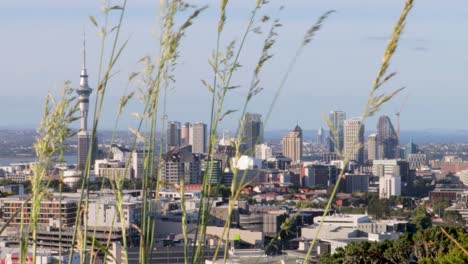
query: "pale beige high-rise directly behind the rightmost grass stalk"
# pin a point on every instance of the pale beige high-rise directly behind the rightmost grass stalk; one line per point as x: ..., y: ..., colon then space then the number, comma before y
x: 354, y: 140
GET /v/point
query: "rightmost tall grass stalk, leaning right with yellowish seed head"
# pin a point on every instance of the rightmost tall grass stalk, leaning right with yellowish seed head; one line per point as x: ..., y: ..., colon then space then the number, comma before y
x: 372, y: 106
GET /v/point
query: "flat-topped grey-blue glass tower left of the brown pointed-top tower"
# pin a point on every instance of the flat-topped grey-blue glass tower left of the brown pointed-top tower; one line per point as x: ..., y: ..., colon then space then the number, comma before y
x: 252, y: 133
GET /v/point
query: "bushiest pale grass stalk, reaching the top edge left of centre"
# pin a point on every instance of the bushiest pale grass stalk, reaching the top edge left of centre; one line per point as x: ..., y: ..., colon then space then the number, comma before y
x: 169, y: 42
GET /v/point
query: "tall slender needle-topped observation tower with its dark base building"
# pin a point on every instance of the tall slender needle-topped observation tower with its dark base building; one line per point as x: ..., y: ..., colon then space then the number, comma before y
x: 84, y: 136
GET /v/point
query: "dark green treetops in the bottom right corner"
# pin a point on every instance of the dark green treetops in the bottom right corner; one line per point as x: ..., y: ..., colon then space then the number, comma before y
x: 428, y: 246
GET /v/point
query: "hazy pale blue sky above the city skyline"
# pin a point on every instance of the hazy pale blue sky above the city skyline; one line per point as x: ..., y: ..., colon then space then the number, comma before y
x: 41, y: 47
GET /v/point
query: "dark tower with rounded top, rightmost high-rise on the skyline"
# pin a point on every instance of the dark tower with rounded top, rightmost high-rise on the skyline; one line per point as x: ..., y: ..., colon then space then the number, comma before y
x: 387, y: 138
